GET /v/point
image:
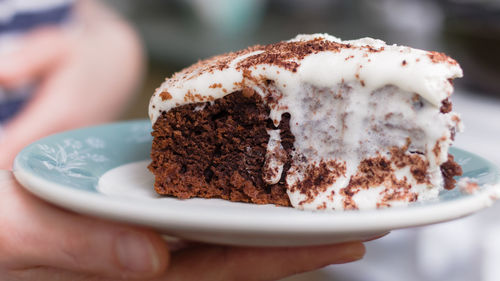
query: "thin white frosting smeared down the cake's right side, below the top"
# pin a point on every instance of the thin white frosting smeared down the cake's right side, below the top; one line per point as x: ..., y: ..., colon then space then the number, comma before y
x: 365, y: 132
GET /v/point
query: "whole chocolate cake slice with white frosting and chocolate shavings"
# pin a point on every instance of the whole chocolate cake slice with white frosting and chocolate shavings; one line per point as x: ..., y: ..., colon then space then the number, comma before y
x: 313, y: 123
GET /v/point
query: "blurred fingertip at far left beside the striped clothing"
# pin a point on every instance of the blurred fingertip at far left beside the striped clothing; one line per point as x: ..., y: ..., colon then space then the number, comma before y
x: 37, y: 52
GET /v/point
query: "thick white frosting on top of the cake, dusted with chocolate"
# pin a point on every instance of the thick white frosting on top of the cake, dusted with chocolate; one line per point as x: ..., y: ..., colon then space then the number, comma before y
x: 369, y: 61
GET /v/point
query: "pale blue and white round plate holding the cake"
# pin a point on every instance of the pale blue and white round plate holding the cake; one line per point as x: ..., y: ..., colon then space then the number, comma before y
x: 101, y: 171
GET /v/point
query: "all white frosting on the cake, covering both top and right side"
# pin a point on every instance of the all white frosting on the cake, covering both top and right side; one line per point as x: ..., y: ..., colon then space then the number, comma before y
x: 338, y: 102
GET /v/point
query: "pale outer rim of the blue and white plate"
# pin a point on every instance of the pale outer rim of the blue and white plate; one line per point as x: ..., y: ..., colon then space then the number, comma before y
x: 392, y: 218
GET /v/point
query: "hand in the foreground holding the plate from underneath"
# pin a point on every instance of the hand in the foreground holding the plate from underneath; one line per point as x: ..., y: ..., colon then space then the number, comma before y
x: 41, y: 242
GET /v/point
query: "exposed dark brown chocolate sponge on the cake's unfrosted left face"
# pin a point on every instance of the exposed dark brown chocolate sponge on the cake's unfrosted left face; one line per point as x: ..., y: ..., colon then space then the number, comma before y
x: 218, y: 150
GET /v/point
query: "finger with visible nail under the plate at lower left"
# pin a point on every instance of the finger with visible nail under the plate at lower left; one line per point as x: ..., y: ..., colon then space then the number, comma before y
x: 35, y: 233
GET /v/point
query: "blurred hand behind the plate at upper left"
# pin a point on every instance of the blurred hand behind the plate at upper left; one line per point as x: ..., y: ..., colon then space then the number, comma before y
x: 86, y: 74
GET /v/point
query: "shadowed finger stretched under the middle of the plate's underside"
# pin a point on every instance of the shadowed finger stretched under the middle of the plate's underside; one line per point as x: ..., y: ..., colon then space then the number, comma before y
x: 232, y: 263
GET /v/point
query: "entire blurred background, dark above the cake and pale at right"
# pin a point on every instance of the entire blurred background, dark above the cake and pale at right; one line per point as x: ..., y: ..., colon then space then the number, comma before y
x: 178, y: 33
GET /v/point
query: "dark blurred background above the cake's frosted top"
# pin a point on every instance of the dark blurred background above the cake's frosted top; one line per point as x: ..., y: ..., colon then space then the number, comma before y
x: 177, y: 33
